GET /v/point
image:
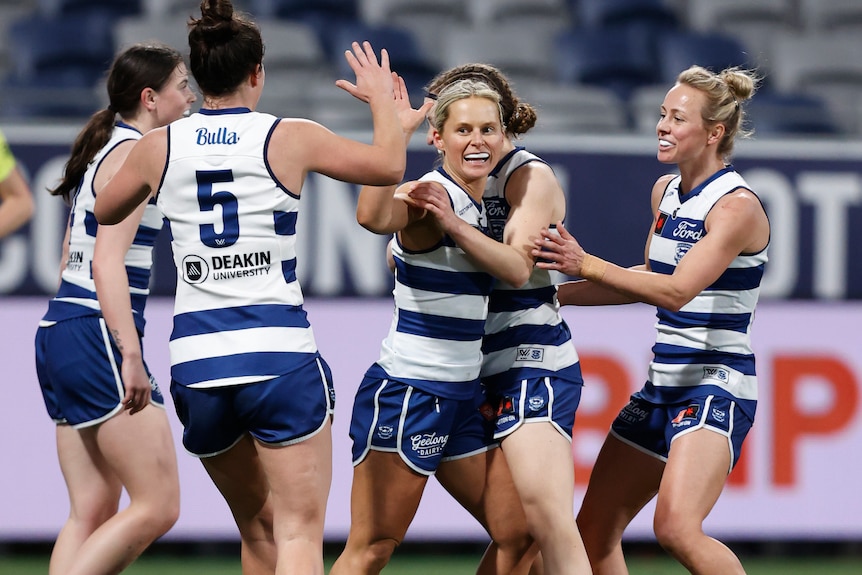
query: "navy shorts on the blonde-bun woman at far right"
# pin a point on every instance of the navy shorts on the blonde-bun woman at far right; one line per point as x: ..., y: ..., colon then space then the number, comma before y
x: 651, y: 427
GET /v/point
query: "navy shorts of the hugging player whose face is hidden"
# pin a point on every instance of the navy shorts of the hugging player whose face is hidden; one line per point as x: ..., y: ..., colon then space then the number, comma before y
x: 548, y: 398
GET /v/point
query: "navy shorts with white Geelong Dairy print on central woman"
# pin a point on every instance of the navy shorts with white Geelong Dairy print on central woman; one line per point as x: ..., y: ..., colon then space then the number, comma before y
x: 422, y: 428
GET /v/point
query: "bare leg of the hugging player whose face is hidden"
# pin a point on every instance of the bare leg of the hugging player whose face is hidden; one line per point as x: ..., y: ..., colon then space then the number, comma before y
x: 543, y: 470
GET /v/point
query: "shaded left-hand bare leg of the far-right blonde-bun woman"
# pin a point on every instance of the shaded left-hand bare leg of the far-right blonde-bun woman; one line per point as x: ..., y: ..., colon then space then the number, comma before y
x: 614, y: 496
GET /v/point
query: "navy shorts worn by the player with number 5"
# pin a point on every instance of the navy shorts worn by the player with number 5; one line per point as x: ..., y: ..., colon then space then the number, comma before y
x: 284, y: 410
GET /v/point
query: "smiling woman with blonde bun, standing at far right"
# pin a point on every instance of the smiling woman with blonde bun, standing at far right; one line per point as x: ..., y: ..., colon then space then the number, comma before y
x: 705, y: 253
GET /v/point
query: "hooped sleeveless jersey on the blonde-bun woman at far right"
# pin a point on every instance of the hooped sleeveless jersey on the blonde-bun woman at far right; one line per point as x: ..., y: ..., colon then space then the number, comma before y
x: 707, y: 343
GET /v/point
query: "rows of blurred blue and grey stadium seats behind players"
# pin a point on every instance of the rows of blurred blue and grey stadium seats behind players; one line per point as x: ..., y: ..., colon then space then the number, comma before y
x: 566, y: 49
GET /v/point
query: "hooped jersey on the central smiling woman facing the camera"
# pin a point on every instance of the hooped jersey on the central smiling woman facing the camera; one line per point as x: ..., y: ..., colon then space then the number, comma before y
x: 441, y: 301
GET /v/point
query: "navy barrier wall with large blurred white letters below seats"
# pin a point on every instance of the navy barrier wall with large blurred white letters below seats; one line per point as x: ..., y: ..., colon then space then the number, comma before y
x: 812, y: 190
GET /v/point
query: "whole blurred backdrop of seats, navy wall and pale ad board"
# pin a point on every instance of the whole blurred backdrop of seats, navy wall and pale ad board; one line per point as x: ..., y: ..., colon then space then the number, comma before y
x: 596, y: 71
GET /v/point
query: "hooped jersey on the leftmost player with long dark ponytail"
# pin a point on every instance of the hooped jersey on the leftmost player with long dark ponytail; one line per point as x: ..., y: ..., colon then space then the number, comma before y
x: 76, y: 296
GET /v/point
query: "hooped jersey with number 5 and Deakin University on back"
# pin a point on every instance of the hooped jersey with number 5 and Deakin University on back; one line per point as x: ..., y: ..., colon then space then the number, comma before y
x: 238, y: 315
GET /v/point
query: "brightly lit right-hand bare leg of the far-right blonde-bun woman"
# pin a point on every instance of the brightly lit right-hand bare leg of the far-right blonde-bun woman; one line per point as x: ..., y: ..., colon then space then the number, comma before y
x: 695, y: 475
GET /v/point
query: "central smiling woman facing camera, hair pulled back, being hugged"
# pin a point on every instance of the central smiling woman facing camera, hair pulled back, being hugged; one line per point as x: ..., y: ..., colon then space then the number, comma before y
x: 416, y: 413
